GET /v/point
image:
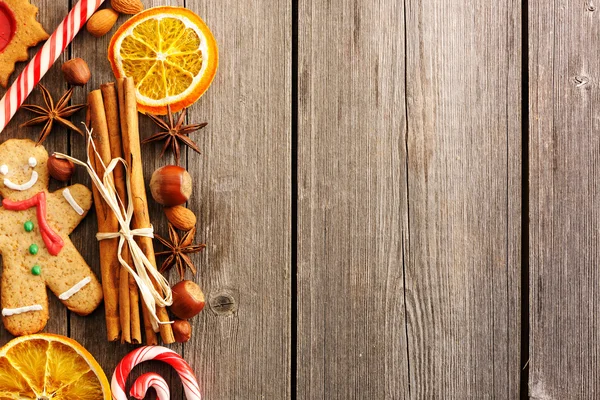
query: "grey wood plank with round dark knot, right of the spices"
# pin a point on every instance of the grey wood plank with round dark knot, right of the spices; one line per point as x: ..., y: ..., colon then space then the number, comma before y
x: 243, y: 201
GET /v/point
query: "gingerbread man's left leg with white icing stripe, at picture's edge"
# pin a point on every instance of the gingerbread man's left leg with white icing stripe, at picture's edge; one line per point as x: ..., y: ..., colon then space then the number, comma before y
x: 24, y: 298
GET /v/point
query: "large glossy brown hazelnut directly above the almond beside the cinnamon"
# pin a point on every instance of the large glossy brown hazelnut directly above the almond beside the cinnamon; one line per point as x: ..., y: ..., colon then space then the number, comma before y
x: 171, y: 185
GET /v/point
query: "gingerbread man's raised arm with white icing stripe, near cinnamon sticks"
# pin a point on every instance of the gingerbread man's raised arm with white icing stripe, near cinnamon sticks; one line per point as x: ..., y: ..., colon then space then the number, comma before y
x: 67, y: 207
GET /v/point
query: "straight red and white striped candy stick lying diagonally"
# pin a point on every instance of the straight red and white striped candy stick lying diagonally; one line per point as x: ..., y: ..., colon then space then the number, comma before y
x: 45, y: 58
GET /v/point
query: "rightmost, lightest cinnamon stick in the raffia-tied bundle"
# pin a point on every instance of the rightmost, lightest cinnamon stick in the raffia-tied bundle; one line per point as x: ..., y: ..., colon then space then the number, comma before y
x: 131, y: 147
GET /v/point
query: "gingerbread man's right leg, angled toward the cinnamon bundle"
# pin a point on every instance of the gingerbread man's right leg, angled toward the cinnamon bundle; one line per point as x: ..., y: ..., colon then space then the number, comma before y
x: 72, y: 281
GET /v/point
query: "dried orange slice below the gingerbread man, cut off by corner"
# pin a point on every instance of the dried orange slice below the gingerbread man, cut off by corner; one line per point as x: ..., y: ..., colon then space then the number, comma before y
x: 46, y: 366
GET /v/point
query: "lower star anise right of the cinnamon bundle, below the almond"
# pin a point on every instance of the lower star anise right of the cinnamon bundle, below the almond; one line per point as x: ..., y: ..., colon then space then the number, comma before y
x: 178, y: 250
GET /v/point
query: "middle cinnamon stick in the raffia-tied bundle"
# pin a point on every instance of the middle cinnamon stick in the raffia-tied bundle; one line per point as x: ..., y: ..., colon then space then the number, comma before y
x: 129, y: 316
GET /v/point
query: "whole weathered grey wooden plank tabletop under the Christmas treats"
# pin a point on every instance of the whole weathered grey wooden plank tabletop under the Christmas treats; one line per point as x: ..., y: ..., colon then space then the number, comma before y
x: 400, y: 199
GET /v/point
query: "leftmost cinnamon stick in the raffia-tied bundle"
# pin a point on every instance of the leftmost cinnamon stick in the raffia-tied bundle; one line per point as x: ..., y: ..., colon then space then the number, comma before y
x: 107, y: 221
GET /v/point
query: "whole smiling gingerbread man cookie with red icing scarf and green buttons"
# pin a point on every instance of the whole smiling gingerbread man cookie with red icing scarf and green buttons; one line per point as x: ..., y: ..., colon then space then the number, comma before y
x: 34, y: 241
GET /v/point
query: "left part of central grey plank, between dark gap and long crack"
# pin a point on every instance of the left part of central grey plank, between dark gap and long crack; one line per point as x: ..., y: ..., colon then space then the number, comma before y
x: 352, y: 200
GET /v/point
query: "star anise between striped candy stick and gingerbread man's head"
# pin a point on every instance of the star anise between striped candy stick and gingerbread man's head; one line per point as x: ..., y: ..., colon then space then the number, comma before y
x: 53, y: 112
